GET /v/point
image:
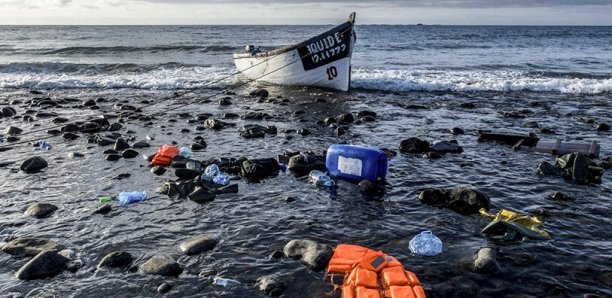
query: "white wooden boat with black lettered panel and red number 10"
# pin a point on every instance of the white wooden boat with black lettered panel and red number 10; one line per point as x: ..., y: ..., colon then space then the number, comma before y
x: 322, y: 61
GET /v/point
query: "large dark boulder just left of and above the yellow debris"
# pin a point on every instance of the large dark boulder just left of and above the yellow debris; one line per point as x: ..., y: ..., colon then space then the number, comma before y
x: 461, y: 200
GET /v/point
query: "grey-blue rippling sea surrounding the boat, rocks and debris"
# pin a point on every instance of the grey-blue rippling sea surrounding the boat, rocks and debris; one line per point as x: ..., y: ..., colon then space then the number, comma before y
x: 420, y: 81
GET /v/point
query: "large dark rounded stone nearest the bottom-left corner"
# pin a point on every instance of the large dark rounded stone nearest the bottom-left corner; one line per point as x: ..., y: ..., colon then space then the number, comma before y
x: 45, y: 264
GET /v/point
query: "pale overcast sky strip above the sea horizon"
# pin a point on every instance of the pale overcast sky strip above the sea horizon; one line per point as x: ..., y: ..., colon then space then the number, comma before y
x: 461, y: 12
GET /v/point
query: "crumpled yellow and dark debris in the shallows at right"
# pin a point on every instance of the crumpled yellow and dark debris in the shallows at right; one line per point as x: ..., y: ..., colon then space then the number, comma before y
x: 509, y: 225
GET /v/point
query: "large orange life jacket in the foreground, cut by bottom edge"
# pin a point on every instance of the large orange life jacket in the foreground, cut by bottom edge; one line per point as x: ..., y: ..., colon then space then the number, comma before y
x: 372, y: 274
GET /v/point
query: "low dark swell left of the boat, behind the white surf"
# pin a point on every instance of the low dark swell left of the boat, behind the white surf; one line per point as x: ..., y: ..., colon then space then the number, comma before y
x: 124, y: 49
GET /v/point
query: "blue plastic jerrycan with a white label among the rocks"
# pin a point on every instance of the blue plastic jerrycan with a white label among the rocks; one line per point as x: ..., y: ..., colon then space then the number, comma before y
x: 356, y: 163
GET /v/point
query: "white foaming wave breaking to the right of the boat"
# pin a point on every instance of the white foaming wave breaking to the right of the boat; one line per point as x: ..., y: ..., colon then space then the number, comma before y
x: 499, y: 81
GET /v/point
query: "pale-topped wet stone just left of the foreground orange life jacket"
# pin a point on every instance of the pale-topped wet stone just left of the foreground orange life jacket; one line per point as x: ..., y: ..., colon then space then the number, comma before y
x: 312, y: 254
